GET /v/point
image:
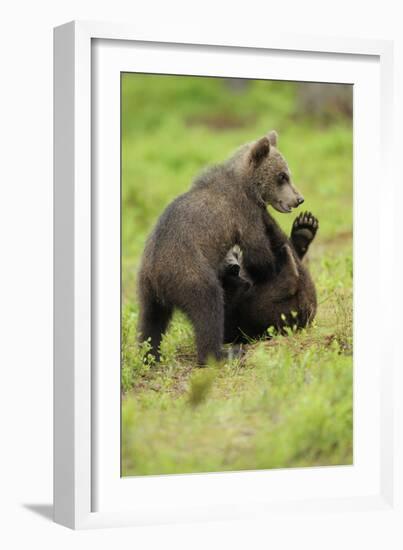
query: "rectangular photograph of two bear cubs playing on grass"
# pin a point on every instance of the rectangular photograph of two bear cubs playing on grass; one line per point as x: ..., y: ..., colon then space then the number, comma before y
x: 236, y: 274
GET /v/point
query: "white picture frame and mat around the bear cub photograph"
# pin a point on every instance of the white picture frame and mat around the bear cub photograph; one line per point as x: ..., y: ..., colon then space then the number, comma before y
x: 88, y: 491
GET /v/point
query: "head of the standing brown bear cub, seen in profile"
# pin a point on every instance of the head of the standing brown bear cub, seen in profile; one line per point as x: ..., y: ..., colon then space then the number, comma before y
x: 271, y: 176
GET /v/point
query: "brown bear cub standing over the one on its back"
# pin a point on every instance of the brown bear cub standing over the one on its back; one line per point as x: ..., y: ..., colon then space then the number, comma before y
x: 183, y: 257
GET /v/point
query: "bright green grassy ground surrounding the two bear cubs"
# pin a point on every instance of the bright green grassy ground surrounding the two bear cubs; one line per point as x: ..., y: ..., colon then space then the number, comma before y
x: 288, y: 402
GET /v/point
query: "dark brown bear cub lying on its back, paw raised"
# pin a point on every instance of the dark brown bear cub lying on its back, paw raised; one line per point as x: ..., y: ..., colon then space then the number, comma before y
x: 288, y: 299
